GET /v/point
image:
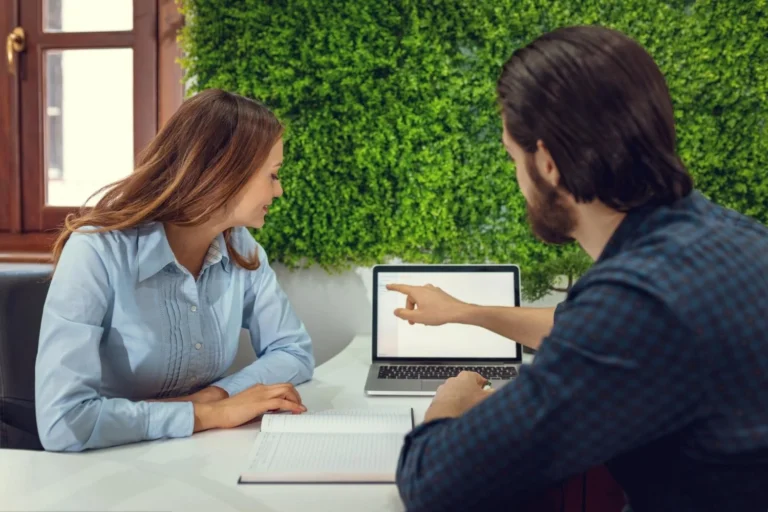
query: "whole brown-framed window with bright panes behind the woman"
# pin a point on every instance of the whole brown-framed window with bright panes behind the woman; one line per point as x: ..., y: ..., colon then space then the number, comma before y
x: 91, y: 85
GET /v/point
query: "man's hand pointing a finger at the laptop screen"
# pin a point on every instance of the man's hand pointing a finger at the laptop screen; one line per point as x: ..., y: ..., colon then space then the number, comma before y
x: 428, y: 305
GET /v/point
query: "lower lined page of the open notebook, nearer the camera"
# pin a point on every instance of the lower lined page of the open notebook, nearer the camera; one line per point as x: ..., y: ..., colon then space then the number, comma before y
x: 304, y: 457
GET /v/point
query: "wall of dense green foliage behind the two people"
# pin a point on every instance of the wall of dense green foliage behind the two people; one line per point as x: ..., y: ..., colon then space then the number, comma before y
x: 393, y: 134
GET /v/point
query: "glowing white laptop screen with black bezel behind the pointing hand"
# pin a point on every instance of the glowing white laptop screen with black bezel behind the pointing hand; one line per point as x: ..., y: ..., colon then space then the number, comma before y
x: 494, y: 285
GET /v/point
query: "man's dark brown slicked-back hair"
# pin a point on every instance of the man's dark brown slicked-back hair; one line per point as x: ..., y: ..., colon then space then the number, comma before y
x: 602, y: 108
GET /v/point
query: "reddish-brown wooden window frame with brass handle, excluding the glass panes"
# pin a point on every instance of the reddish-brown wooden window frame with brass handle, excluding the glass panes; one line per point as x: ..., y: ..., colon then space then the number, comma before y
x: 27, y: 226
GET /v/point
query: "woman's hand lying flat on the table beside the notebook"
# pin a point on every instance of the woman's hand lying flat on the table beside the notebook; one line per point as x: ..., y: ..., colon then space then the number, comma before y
x: 244, y: 407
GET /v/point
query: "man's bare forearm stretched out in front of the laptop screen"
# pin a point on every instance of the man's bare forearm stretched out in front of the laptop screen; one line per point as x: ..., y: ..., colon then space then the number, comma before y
x: 527, y: 326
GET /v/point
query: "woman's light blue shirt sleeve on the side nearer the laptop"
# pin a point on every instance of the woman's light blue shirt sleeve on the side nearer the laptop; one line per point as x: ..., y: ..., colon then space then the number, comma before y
x: 279, y: 338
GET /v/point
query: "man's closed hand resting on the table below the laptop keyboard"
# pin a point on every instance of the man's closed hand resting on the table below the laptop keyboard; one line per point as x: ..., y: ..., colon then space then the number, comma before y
x: 457, y: 395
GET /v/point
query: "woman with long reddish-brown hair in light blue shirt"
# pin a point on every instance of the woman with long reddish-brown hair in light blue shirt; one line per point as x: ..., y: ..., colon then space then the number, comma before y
x: 152, y: 286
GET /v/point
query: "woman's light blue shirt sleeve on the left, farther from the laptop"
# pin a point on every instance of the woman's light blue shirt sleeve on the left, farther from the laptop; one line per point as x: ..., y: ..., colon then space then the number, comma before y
x: 71, y: 413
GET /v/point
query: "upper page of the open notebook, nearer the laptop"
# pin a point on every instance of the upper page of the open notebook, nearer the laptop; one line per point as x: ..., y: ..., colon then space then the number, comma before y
x: 351, y: 420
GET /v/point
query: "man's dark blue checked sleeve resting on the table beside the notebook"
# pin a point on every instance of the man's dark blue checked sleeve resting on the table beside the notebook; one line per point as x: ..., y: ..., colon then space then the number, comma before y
x: 614, y: 374
